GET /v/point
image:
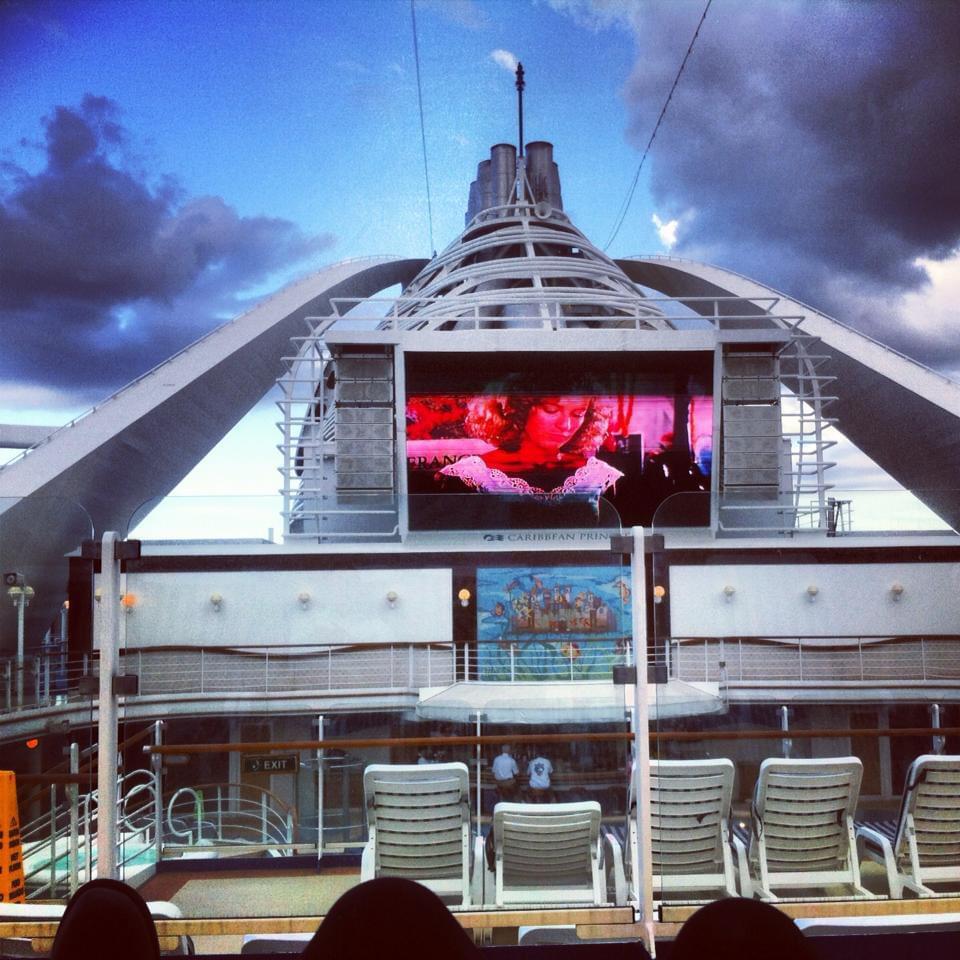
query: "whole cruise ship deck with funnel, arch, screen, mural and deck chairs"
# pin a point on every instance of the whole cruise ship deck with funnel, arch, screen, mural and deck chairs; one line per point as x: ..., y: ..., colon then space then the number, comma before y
x: 545, y: 514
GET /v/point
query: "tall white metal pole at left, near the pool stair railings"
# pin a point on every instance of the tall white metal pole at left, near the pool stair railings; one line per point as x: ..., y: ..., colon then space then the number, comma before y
x: 109, y: 635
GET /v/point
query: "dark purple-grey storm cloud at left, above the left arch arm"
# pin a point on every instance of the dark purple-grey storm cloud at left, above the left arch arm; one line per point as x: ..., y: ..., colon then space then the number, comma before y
x: 123, y: 270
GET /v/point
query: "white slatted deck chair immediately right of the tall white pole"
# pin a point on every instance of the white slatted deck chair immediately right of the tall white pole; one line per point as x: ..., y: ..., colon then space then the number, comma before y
x: 691, y: 839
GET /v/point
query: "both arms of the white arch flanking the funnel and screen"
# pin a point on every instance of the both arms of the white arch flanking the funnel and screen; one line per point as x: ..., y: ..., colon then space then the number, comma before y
x: 136, y: 446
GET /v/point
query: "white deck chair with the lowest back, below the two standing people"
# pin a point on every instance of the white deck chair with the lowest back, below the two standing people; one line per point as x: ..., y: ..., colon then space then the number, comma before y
x: 548, y: 853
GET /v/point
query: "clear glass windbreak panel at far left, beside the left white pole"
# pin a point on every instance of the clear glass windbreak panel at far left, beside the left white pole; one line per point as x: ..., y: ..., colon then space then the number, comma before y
x: 47, y: 687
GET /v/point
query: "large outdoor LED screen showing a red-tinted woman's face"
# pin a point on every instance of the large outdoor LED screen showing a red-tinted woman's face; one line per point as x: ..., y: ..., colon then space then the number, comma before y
x: 558, y: 440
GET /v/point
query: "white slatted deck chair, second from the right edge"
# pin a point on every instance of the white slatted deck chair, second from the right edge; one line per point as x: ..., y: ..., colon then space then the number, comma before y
x: 802, y: 825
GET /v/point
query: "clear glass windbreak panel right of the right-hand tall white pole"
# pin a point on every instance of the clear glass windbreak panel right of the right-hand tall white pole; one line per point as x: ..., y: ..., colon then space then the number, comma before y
x: 830, y: 666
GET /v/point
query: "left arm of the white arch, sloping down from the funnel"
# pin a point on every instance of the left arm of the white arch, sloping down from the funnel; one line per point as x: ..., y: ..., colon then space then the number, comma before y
x: 136, y: 446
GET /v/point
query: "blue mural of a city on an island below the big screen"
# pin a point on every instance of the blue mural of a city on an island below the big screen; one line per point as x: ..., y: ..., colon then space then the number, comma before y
x: 552, y: 623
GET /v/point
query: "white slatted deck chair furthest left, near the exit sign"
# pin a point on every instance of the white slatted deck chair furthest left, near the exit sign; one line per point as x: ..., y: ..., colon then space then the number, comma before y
x: 418, y: 817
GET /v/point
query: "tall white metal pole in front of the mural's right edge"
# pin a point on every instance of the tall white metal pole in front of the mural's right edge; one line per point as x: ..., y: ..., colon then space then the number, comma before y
x: 643, y: 874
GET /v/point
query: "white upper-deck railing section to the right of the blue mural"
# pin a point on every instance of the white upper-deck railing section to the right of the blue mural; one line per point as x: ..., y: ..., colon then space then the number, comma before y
x: 817, y: 660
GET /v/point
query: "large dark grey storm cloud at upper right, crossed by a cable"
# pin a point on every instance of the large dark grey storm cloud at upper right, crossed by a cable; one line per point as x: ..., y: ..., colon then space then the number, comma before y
x: 814, y: 145
